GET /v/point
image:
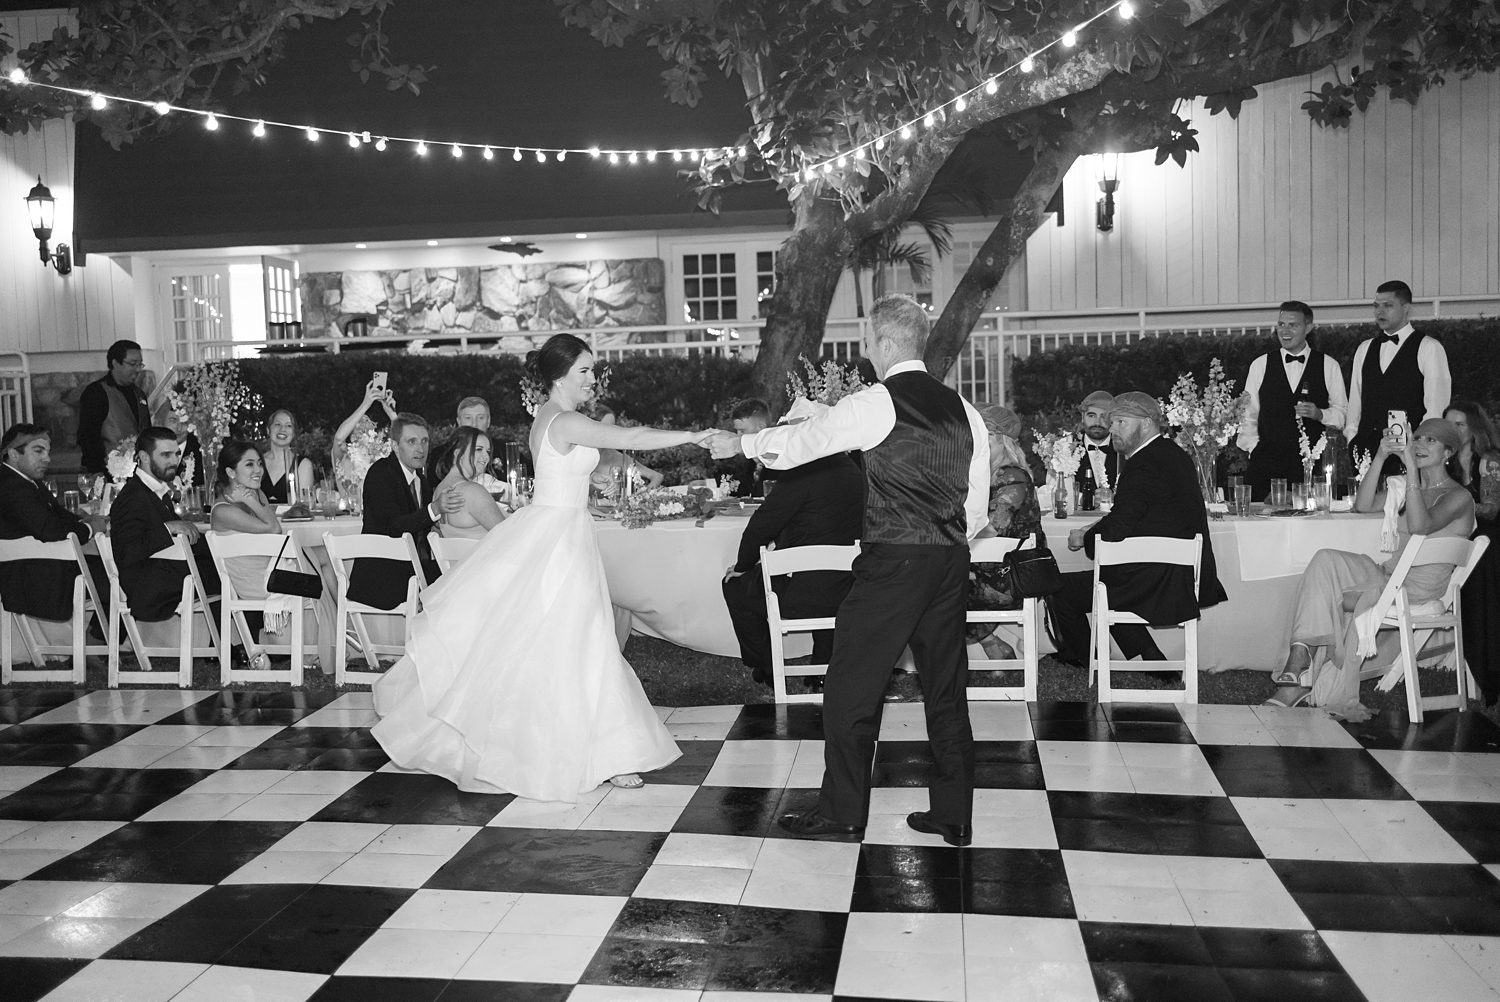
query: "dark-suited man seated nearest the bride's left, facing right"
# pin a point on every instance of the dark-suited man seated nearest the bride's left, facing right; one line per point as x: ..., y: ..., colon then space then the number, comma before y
x: 398, y: 499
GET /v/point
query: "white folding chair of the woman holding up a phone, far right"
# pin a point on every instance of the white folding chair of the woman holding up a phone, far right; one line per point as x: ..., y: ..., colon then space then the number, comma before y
x: 1417, y: 623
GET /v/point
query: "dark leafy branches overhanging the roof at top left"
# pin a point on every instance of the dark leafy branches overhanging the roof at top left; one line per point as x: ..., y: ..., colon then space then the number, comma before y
x: 184, y: 53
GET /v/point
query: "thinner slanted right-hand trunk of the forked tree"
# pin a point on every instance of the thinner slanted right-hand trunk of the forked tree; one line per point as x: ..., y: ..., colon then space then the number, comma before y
x: 1000, y: 250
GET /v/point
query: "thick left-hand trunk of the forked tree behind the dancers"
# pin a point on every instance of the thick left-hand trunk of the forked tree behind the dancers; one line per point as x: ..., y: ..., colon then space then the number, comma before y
x: 808, y: 274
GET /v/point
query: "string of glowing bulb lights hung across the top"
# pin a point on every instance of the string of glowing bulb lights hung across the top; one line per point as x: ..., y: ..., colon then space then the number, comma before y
x: 358, y: 139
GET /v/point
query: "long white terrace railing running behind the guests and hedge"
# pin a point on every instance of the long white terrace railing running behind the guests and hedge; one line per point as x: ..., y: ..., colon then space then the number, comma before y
x: 982, y: 371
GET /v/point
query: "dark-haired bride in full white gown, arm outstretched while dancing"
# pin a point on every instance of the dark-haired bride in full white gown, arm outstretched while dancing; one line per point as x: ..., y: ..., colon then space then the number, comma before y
x: 514, y: 682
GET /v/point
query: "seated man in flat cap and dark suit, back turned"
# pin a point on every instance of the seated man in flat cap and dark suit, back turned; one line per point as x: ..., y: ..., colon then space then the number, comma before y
x: 1157, y: 496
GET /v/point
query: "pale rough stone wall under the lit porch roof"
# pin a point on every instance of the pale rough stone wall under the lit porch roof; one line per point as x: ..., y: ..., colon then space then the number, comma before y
x: 503, y: 298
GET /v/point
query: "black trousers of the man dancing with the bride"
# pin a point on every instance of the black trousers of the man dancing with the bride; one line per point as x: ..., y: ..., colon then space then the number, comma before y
x: 901, y: 596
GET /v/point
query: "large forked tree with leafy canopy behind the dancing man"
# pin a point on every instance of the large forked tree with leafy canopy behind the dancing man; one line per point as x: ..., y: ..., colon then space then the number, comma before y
x: 838, y: 92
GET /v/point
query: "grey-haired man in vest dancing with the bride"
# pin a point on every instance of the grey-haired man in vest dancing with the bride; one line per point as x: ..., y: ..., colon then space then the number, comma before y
x: 928, y: 470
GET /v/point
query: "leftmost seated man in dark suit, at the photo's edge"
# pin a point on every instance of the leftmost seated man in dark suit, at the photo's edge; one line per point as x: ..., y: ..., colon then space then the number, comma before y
x: 40, y: 589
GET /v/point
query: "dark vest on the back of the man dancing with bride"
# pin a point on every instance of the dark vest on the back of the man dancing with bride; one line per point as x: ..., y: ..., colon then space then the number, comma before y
x: 919, y: 478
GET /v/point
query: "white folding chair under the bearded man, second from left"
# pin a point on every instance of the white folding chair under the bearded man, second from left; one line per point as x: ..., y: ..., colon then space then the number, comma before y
x: 194, y: 602
